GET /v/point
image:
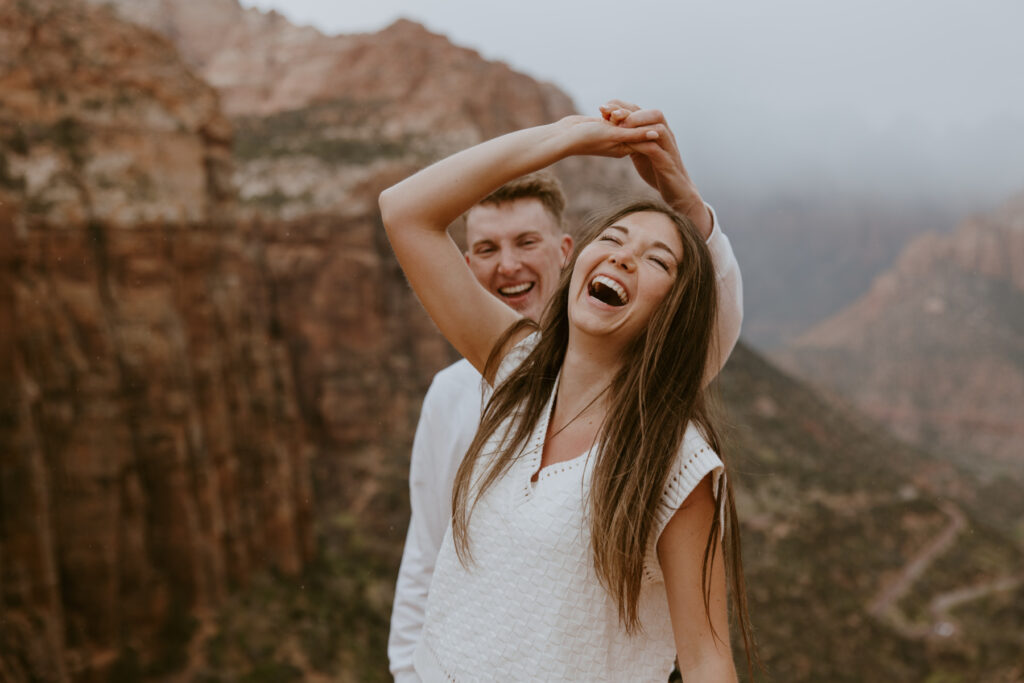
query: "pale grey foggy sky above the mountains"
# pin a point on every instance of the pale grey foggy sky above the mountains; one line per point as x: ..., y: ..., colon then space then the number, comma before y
x: 877, y: 97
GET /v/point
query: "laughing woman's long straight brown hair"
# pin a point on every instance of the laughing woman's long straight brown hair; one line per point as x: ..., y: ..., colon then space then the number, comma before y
x: 658, y: 393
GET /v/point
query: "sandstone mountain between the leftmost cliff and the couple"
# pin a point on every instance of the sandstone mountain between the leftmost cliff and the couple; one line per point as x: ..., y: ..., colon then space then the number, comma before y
x: 322, y: 125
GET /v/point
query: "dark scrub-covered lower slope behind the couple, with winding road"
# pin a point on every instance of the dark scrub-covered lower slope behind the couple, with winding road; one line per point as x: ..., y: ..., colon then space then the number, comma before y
x: 866, y: 561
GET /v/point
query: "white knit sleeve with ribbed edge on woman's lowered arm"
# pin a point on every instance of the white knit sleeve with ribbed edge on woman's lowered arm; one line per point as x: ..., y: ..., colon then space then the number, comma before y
x: 695, y: 461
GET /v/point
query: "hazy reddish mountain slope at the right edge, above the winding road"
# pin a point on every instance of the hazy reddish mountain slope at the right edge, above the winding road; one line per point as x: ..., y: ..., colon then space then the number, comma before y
x: 935, y: 351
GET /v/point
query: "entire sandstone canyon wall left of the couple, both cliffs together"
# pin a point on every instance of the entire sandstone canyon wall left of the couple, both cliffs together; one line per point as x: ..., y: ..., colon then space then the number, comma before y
x: 188, y: 372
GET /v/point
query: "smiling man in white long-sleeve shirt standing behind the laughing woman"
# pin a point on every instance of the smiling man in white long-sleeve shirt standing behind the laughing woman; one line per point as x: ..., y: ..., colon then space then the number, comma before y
x: 517, y: 247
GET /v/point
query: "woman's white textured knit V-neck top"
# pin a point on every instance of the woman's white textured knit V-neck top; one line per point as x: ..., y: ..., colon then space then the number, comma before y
x: 530, y: 608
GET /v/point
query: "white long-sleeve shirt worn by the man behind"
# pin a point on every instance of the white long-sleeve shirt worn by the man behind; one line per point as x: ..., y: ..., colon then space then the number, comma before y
x: 449, y: 420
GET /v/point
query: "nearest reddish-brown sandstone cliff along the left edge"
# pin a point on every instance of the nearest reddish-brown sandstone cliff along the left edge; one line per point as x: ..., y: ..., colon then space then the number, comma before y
x: 152, y: 447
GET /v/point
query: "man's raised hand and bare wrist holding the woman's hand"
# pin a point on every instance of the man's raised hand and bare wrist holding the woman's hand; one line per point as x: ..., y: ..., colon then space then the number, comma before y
x: 658, y: 161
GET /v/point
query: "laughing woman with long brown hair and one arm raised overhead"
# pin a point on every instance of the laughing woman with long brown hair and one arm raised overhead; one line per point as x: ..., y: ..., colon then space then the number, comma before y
x: 593, y: 532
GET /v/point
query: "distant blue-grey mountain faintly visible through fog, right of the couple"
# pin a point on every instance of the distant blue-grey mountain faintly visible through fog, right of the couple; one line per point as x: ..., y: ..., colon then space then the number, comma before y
x: 808, y: 255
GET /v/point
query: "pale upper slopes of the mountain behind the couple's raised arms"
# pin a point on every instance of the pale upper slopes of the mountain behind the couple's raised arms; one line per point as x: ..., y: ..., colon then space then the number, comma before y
x: 318, y: 117
